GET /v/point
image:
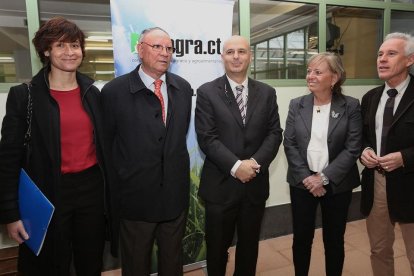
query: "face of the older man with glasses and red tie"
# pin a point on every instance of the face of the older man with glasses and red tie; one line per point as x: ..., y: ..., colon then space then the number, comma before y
x: 155, y: 63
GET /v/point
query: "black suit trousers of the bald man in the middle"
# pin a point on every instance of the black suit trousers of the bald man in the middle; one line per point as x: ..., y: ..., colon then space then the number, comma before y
x: 221, y: 222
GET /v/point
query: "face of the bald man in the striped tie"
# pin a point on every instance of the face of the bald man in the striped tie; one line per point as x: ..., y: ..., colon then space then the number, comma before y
x: 236, y: 57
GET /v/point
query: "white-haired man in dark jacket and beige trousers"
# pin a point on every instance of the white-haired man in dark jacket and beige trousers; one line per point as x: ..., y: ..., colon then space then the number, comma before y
x: 388, y: 156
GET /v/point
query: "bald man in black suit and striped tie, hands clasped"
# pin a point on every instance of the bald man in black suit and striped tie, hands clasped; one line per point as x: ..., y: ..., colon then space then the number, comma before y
x: 238, y: 129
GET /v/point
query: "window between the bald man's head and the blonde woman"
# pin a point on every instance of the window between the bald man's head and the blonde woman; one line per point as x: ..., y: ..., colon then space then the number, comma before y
x: 281, y: 38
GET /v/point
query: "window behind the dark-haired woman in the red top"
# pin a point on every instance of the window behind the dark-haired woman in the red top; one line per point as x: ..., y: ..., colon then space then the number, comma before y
x: 94, y: 18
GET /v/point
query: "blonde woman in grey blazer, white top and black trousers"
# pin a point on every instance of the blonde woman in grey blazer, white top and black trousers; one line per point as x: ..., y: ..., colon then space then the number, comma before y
x: 322, y: 142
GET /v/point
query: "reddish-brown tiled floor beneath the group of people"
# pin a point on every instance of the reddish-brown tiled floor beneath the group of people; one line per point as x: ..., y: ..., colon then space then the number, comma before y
x: 275, y: 256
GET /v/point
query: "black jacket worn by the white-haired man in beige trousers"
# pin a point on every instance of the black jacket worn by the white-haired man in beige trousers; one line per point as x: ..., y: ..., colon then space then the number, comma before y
x: 400, y: 182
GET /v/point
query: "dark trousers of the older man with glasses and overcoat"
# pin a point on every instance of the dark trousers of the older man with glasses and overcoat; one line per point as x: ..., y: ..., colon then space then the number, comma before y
x: 137, y: 242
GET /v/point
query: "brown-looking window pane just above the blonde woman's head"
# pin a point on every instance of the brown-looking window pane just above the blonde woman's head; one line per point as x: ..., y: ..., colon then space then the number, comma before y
x: 356, y: 37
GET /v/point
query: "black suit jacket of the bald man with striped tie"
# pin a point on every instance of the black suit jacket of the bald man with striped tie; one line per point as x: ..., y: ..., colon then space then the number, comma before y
x: 224, y: 140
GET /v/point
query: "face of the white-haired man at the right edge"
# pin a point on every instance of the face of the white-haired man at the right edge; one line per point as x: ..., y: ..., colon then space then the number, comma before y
x: 392, y: 62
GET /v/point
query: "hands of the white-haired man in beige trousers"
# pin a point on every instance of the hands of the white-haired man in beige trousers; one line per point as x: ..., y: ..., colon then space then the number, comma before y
x: 382, y: 164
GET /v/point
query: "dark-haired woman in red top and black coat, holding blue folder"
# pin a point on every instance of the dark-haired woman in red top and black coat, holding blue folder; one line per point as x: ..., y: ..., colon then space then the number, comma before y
x: 65, y: 159
